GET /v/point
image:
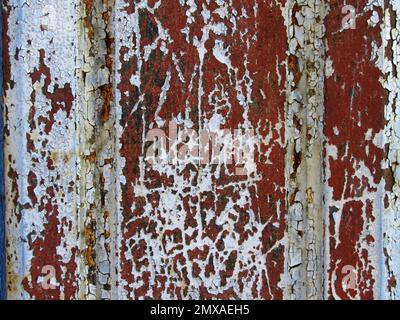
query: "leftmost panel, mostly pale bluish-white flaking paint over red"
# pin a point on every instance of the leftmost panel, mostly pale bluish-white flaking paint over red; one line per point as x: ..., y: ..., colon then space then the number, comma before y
x: 40, y: 195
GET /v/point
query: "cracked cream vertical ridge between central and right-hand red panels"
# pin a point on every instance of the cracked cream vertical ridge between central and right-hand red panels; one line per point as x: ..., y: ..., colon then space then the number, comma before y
x: 305, y: 105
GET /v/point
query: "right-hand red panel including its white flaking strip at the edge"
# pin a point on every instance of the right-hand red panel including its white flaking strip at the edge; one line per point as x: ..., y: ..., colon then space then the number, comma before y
x: 360, y: 168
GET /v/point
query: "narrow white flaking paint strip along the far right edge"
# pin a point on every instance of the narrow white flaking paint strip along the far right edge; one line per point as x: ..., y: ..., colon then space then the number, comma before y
x: 388, y: 62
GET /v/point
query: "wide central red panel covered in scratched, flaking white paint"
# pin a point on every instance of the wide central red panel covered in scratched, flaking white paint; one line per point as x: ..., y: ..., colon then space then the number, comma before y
x: 190, y: 231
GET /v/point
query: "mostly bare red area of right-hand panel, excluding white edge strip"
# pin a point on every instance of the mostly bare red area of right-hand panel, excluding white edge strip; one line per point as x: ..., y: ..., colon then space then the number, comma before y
x: 354, y: 100
